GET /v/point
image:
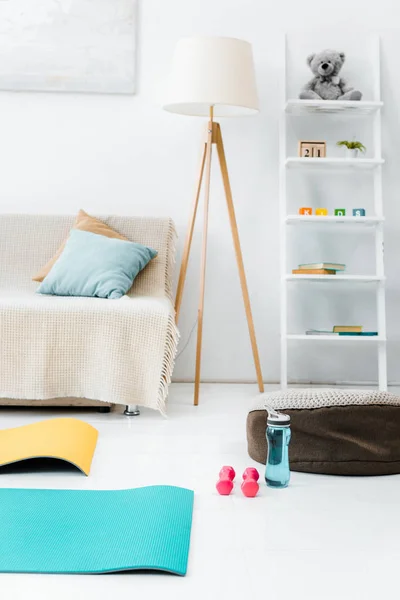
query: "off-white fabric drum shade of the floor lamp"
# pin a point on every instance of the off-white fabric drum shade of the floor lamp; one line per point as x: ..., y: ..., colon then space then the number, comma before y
x: 212, y: 71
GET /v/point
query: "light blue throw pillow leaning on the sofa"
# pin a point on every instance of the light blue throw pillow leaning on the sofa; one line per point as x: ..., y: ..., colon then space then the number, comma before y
x: 96, y: 266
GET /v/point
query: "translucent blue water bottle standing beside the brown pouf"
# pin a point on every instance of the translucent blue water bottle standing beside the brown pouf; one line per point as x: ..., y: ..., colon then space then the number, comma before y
x: 277, y: 473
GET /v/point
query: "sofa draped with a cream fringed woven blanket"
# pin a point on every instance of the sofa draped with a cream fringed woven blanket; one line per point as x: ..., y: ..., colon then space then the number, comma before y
x: 84, y: 351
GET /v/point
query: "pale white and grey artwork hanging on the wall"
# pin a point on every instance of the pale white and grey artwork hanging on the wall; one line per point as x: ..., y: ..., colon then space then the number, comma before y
x: 68, y: 46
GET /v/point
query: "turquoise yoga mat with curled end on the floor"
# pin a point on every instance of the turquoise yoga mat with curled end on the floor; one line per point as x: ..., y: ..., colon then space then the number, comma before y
x: 68, y: 531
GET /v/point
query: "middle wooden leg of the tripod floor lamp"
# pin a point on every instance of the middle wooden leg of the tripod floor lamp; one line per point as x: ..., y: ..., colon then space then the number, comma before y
x: 203, y: 265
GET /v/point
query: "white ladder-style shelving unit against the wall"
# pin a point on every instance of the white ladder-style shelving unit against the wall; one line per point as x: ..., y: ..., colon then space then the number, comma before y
x: 348, y: 110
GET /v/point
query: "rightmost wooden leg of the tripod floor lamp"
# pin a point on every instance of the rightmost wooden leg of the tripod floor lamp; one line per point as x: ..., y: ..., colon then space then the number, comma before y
x: 239, y: 257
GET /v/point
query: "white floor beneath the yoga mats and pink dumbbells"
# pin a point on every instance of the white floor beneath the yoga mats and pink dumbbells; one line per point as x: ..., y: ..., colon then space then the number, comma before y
x: 321, y: 538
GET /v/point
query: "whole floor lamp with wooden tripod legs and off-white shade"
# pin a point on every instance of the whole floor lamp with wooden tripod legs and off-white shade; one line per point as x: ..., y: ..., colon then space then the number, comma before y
x: 213, y: 77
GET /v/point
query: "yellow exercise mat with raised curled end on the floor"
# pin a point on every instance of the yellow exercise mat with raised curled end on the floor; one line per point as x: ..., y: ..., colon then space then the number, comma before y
x: 70, y: 440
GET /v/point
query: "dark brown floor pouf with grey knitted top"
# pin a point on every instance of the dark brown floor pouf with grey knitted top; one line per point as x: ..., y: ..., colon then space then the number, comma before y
x: 337, y: 432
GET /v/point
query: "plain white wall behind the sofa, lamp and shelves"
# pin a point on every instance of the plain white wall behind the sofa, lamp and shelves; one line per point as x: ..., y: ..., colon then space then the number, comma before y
x: 125, y: 155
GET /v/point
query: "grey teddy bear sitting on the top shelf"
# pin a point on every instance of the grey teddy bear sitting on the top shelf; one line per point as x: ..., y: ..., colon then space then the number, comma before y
x: 326, y: 83
